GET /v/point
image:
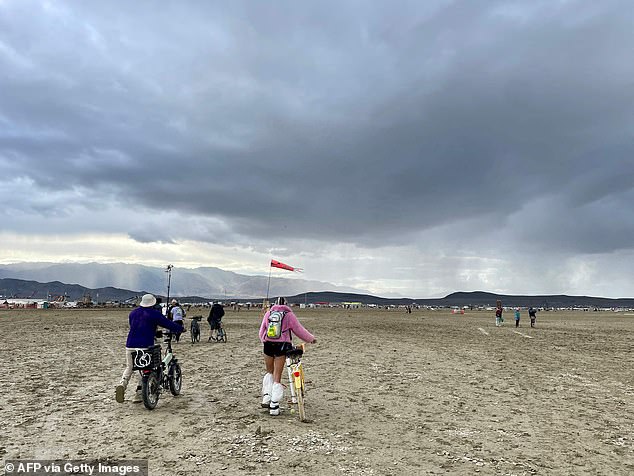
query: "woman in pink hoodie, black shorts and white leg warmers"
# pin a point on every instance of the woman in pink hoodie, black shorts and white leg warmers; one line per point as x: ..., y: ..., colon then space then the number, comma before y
x: 275, y: 353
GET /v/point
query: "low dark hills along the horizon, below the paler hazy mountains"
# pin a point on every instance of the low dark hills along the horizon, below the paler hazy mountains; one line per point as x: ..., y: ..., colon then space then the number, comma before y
x: 18, y: 288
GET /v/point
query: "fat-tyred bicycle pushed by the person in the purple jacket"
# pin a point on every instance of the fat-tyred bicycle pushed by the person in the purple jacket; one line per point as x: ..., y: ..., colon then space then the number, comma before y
x: 158, y: 372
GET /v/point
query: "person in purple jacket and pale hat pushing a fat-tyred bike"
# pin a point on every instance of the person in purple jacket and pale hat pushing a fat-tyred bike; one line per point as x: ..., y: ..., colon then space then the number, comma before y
x: 143, y: 323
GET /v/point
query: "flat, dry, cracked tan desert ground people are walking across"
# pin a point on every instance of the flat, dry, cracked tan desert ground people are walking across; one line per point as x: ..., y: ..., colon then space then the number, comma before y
x: 388, y: 393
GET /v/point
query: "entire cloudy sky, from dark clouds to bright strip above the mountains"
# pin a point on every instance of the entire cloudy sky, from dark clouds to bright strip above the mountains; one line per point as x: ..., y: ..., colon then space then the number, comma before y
x: 405, y: 147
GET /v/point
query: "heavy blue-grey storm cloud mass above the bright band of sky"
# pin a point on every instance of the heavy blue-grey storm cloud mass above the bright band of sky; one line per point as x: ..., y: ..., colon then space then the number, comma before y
x: 353, y: 122
